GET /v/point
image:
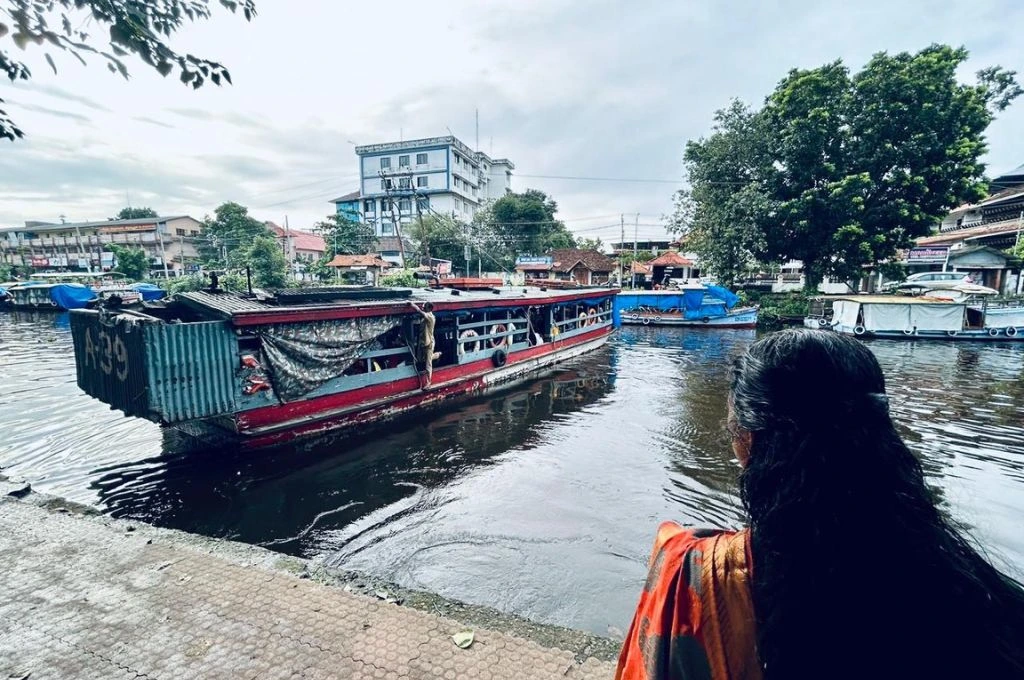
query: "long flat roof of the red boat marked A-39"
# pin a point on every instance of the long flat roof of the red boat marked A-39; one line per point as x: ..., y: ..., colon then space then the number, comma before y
x: 294, y: 306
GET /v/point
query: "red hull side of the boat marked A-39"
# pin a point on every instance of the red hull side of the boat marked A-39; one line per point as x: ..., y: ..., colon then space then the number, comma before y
x: 279, y: 423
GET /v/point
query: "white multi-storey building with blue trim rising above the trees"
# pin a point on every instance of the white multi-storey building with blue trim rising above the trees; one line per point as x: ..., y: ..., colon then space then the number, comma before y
x: 435, y: 176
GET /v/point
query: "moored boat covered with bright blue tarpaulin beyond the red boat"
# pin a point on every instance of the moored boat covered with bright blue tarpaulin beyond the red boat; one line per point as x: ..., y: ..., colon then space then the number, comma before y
x: 698, y: 306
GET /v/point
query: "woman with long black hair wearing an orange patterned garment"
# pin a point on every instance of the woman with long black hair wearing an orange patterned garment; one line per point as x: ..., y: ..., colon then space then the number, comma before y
x: 847, y: 570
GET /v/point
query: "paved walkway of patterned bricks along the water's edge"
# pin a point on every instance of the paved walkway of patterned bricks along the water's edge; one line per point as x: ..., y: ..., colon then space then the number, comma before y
x: 92, y: 598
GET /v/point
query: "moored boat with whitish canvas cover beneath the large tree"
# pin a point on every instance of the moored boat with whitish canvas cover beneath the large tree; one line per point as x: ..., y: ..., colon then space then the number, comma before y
x: 961, y: 314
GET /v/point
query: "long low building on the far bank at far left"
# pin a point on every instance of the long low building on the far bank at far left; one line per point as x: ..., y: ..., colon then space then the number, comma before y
x: 81, y: 246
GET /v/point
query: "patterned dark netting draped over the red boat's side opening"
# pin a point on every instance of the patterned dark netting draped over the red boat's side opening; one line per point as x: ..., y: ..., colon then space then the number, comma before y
x: 304, y: 357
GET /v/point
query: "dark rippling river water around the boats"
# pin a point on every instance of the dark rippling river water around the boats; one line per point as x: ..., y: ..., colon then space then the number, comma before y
x: 541, y: 501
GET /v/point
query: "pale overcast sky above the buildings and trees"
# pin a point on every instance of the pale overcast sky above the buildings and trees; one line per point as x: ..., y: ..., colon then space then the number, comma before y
x: 586, y: 90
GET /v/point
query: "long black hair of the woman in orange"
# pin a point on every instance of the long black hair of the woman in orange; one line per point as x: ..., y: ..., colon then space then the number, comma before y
x: 856, y: 571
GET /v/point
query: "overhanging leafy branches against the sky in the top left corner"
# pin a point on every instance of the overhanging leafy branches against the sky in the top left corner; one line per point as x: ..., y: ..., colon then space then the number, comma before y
x: 126, y: 27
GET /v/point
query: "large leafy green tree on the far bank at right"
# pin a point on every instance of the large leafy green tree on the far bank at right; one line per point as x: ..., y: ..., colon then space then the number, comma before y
x: 841, y: 171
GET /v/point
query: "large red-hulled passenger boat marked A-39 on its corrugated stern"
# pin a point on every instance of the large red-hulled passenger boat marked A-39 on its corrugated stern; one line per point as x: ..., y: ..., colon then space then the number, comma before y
x: 271, y: 368
